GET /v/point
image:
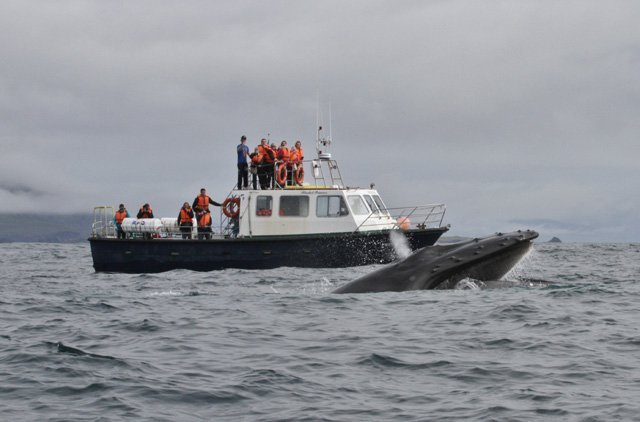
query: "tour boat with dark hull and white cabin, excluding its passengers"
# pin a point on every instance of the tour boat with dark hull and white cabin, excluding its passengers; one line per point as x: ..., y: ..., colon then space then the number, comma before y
x: 318, y: 224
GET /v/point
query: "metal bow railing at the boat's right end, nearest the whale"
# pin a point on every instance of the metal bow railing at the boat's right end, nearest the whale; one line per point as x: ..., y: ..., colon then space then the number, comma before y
x: 405, y: 218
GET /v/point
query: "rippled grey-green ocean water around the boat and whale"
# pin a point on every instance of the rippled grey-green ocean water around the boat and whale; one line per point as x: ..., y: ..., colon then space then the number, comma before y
x: 277, y: 345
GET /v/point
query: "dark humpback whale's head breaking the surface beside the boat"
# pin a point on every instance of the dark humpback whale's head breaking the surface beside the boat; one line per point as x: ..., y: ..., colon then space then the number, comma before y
x: 442, y: 266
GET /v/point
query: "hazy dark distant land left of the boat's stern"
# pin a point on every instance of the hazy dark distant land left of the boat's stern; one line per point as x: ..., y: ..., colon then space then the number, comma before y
x: 50, y: 228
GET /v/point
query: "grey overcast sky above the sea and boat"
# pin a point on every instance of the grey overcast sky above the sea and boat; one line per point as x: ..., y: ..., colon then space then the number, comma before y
x: 516, y: 114
